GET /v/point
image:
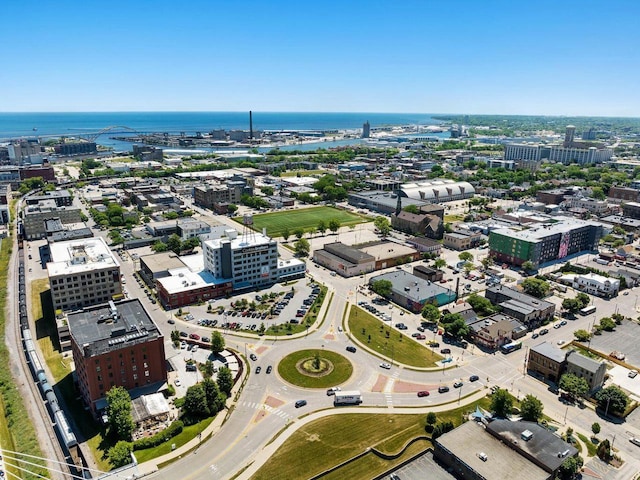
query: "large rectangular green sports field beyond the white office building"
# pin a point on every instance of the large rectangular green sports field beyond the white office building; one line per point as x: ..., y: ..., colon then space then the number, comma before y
x: 305, y: 218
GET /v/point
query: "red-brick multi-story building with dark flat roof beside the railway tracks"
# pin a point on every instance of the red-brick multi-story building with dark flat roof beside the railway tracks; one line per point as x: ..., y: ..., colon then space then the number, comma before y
x: 115, y: 345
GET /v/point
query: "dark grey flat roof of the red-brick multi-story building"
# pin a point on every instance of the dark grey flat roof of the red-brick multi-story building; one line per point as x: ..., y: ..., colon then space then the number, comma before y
x: 97, y: 330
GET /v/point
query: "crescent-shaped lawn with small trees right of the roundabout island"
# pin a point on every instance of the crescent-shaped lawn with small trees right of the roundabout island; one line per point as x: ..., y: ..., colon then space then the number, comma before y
x: 382, y: 338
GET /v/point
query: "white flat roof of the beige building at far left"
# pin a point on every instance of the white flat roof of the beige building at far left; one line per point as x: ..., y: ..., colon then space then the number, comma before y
x: 79, y: 256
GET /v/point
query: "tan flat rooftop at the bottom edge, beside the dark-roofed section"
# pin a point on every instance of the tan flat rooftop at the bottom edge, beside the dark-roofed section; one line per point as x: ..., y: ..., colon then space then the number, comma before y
x: 470, y: 439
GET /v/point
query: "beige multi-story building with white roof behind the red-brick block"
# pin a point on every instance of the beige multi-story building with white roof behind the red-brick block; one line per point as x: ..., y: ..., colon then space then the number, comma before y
x: 83, y: 273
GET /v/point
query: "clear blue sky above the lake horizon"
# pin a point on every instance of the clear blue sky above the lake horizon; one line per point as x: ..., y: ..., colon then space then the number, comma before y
x: 502, y: 57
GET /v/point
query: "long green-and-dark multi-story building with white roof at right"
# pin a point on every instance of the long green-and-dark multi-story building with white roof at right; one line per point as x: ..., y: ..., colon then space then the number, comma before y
x: 545, y: 242
